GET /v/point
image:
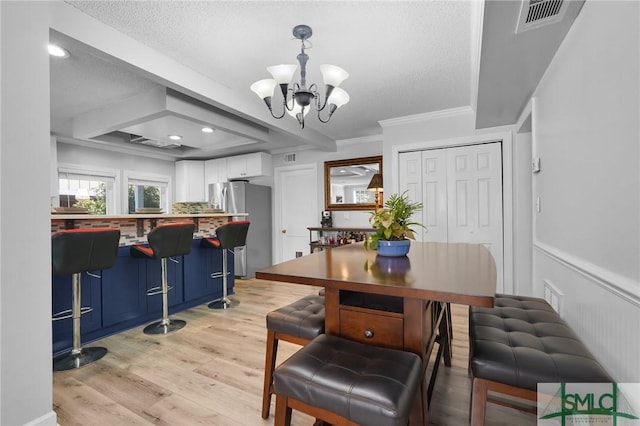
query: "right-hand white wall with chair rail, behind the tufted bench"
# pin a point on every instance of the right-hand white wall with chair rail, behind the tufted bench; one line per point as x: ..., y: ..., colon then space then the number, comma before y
x: 585, y: 130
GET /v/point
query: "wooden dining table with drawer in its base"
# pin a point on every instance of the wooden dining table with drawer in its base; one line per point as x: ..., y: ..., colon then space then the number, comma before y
x: 397, y: 302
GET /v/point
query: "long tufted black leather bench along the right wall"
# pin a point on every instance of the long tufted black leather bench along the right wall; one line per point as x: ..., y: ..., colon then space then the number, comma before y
x: 519, y: 343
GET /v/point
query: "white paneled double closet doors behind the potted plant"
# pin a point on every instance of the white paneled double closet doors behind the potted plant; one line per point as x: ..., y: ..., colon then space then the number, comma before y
x: 461, y: 192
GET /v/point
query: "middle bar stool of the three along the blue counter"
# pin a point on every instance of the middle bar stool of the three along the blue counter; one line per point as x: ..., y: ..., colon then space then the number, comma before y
x: 165, y: 241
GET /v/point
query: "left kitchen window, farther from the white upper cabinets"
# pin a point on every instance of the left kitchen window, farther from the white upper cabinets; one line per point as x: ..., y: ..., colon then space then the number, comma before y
x: 93, y: 190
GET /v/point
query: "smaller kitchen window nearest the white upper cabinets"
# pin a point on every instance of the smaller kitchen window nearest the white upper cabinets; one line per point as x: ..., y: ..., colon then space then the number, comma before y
x: 147, y: 192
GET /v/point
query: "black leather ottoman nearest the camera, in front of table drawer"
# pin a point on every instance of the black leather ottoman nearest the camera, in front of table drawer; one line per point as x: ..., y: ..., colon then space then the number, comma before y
x: 364, y: 384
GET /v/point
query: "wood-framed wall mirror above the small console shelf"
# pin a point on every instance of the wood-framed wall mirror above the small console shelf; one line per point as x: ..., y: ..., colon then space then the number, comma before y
x: 346, y: 182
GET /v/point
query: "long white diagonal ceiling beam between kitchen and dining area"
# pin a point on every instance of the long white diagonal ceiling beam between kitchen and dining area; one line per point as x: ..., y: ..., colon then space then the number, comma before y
x: 163, y: 70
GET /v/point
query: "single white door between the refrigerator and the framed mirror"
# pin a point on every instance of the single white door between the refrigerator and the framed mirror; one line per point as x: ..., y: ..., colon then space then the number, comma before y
x: 296, y: 209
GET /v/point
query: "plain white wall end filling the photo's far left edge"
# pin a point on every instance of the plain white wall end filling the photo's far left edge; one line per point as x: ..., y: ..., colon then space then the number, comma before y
x: 25, y: 243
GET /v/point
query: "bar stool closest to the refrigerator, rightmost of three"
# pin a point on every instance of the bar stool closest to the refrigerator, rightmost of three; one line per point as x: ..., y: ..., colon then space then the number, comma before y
x: 227, y: 237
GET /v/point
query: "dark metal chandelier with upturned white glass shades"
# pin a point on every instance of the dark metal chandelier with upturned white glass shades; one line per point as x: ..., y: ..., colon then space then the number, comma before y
x: 297, y: 98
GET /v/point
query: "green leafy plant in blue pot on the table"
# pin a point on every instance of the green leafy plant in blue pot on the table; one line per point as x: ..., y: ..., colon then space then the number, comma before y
x: 393, y: 226
